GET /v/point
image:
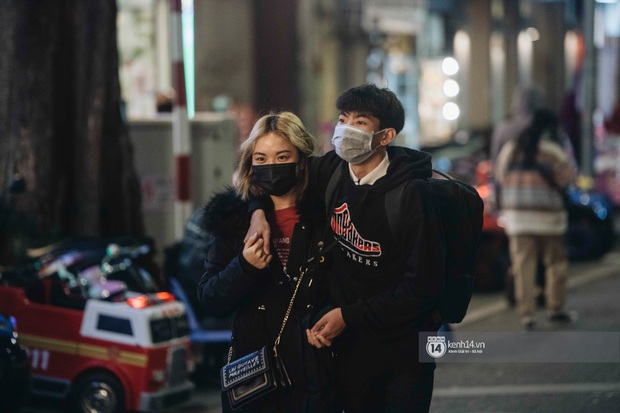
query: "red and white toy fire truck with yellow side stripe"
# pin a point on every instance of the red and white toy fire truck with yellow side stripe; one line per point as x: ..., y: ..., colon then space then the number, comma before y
x: 129, y: 353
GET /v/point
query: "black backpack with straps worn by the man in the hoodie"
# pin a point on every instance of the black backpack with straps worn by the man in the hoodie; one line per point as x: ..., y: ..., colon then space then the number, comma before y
x: 461, y: 210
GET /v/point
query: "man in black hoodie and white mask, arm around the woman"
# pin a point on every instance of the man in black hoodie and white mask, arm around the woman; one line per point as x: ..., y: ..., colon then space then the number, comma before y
x: 384, y: 284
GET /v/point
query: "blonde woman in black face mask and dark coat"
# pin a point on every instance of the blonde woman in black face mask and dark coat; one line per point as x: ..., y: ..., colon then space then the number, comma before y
x: 240, y: 278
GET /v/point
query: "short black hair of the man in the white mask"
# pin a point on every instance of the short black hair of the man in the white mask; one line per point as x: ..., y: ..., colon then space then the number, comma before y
x: 372, y: 100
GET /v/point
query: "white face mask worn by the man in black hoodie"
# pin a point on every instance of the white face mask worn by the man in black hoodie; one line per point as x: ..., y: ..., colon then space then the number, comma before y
x: 353, y: 145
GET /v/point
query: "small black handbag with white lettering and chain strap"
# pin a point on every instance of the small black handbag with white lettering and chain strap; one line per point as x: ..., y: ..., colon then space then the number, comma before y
x: 258, y: 374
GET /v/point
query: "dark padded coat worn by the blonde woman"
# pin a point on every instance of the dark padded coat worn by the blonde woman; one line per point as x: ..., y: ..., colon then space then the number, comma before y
x: 260, y: 299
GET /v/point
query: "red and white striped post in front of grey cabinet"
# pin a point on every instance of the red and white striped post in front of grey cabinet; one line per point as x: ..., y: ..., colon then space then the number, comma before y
x: 181, y: 138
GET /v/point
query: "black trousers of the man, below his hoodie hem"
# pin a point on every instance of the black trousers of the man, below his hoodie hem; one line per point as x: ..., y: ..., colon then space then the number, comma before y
x: 375, y: 380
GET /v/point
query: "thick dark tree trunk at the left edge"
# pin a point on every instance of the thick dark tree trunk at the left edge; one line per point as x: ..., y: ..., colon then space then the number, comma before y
x: 62, y: 126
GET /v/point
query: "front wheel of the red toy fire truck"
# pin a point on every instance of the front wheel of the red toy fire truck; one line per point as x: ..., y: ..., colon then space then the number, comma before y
x: 98, y: 393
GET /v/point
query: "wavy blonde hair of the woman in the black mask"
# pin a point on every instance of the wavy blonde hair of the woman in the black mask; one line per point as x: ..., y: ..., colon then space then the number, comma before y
x: 288, y: 126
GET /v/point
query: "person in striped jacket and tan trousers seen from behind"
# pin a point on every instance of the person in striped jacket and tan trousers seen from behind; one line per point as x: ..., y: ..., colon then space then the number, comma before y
x: 533, y: 172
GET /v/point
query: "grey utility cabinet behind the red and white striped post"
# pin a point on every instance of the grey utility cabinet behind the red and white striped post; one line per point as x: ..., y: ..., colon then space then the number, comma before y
x: 214, y: 148
